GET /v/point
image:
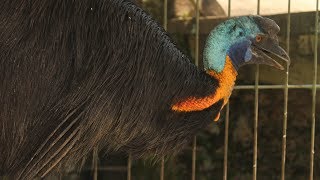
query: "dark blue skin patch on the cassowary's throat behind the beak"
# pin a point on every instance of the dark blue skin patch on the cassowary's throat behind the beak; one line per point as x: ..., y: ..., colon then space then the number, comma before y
x: 240, y: 53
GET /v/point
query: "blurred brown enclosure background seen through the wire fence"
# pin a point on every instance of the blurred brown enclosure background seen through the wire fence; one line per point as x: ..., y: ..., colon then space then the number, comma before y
x: 297, y: 36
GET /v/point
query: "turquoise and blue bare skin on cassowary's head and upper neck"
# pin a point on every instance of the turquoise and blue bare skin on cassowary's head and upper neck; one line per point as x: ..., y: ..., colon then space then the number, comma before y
x: 231, y: 38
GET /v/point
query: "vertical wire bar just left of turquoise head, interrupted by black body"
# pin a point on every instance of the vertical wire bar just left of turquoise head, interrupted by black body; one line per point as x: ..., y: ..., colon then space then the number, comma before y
x: 194, y: 144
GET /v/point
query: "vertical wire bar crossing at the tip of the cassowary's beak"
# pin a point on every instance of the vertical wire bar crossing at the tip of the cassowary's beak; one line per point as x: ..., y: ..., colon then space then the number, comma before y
x: 285, y: 110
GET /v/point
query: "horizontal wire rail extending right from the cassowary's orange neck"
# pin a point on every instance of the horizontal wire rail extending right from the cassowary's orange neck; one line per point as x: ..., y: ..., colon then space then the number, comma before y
x: 293, y: 86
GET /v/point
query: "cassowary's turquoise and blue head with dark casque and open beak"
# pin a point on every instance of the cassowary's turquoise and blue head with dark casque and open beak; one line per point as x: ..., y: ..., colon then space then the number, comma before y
x: 245, y: 40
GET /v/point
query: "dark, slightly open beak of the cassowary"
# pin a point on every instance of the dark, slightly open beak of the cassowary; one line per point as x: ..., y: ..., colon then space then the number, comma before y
x: 265, y: 51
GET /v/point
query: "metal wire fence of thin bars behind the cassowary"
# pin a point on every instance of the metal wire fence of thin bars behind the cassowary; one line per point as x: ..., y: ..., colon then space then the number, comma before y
x: 256, y: 87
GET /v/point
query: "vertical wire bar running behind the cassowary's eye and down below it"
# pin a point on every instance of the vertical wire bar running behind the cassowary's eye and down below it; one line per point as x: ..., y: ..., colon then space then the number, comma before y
x: 256, y: 113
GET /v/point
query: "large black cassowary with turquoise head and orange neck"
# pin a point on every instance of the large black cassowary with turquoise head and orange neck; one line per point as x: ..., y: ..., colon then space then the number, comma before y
x: 79, y: 74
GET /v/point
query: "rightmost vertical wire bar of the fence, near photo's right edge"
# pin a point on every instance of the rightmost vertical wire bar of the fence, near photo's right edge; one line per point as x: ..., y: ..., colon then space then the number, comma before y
x: 314, y: 91
